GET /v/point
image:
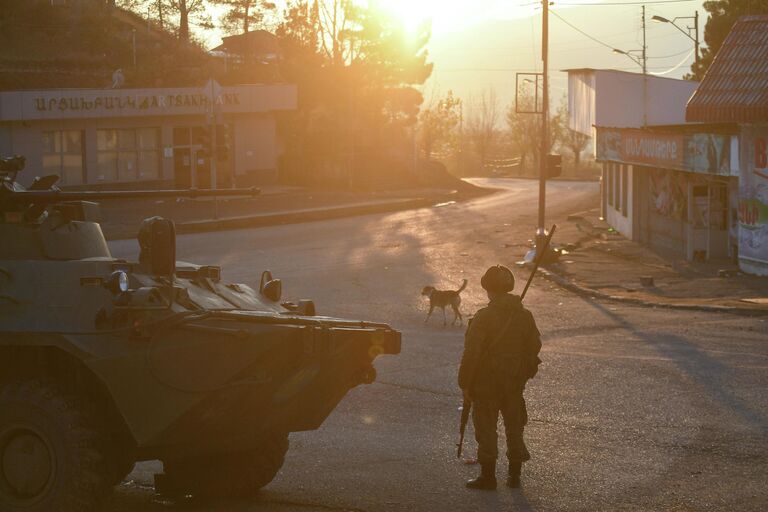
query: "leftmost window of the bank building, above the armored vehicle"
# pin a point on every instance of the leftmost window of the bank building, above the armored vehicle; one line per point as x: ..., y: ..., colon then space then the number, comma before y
x: 63, y: 155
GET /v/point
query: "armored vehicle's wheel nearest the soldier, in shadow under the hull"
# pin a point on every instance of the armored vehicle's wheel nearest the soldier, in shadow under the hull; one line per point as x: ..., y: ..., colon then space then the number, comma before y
x: 238, y: 475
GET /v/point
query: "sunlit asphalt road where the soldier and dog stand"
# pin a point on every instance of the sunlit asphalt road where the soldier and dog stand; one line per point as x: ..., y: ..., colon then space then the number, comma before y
x: 633, y: 409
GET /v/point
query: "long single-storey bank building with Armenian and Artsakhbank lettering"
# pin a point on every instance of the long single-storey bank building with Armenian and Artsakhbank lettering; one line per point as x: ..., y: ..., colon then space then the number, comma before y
x: 137, y: 138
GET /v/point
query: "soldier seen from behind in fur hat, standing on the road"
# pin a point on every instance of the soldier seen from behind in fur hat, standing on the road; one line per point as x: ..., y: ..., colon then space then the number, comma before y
x: 501, y: 351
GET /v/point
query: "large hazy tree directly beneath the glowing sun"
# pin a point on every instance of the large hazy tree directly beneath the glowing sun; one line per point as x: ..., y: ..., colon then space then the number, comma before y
x: 355, y: 66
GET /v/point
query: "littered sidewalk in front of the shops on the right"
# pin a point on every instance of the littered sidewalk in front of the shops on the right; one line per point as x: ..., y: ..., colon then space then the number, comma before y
x: 602, y: 263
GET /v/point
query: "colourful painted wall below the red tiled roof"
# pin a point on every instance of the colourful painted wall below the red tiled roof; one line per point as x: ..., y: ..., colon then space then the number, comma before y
x: 753, y: 200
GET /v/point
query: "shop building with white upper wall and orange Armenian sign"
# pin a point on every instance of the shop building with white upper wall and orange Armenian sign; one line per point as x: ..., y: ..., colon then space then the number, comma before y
x: 665, y: 183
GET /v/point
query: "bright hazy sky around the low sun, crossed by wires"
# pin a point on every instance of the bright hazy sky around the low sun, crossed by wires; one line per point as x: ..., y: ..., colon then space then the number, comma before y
x: 481, y: 44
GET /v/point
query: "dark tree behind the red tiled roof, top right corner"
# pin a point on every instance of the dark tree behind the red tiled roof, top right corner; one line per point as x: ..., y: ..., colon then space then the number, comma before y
x: 722, y: 15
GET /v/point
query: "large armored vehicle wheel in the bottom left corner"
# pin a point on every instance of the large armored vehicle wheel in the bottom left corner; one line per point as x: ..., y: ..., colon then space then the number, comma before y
x: 49, y: 451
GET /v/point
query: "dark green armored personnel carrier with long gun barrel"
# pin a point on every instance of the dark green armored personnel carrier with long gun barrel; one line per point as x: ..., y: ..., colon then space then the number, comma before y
x: 105, y: 362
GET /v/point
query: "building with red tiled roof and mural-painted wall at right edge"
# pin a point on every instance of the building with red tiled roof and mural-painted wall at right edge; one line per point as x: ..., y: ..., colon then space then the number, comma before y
x: 735, y: 90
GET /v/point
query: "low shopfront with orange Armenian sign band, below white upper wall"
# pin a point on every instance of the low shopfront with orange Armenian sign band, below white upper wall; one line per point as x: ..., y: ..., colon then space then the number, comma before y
x: 673, y: 188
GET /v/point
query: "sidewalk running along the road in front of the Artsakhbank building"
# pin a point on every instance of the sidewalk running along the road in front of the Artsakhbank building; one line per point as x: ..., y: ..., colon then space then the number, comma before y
x: 274, y: 206
